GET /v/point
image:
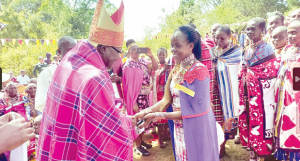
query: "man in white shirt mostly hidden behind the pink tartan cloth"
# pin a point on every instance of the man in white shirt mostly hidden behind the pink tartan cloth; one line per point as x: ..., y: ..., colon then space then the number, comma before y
x: 65, y: 44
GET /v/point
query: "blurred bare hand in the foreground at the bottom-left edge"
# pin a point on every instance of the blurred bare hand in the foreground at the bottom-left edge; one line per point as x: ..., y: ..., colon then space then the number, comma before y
x: 14, y: 134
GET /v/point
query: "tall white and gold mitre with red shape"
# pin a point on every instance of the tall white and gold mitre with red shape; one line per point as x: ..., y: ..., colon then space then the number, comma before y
x: 107, y: 30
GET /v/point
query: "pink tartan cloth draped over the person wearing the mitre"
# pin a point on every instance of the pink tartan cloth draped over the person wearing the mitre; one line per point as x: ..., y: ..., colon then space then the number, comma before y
x: 80, y: 121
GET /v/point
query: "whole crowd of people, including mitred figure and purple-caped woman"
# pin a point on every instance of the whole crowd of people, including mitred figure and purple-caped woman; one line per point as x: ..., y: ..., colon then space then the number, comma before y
x: 90, y: 103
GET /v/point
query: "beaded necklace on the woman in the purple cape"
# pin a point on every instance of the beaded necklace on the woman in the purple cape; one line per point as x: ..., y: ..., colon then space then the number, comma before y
x: 178, y: 75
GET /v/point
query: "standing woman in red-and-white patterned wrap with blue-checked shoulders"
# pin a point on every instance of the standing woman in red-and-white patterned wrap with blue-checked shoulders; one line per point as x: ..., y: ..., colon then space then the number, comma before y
x: 257, y: 76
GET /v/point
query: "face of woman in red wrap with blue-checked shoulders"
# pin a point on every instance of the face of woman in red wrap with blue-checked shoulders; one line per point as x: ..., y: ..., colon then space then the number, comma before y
x: 253, y: 31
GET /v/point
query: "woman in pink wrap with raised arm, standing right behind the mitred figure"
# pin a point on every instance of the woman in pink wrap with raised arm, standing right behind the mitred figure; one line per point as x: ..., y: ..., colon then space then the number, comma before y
x: 136, y: 86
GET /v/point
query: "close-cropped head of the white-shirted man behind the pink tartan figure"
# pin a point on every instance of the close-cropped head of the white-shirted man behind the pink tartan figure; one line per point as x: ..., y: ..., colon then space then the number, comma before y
x: 65, y: 44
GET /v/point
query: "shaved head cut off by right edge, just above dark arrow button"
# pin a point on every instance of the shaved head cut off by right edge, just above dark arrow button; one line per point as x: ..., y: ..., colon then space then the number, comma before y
x: 294, y: 33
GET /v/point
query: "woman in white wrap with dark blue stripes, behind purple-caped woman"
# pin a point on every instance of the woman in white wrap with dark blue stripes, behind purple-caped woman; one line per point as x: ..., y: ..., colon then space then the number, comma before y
x: 226, y: 58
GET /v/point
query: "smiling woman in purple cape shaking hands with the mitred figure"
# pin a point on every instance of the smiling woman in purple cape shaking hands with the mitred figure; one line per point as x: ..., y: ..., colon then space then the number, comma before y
x: 187, y: 90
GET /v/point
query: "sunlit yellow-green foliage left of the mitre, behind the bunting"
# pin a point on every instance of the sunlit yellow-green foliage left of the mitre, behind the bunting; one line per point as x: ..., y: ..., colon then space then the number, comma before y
x: 41, y: 19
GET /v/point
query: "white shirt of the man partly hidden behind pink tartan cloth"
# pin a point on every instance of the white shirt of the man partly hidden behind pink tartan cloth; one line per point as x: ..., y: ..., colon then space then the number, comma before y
x: 43, y: 83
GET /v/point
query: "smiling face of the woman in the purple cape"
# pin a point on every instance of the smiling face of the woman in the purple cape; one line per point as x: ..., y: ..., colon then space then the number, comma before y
x: 180, y: 46
